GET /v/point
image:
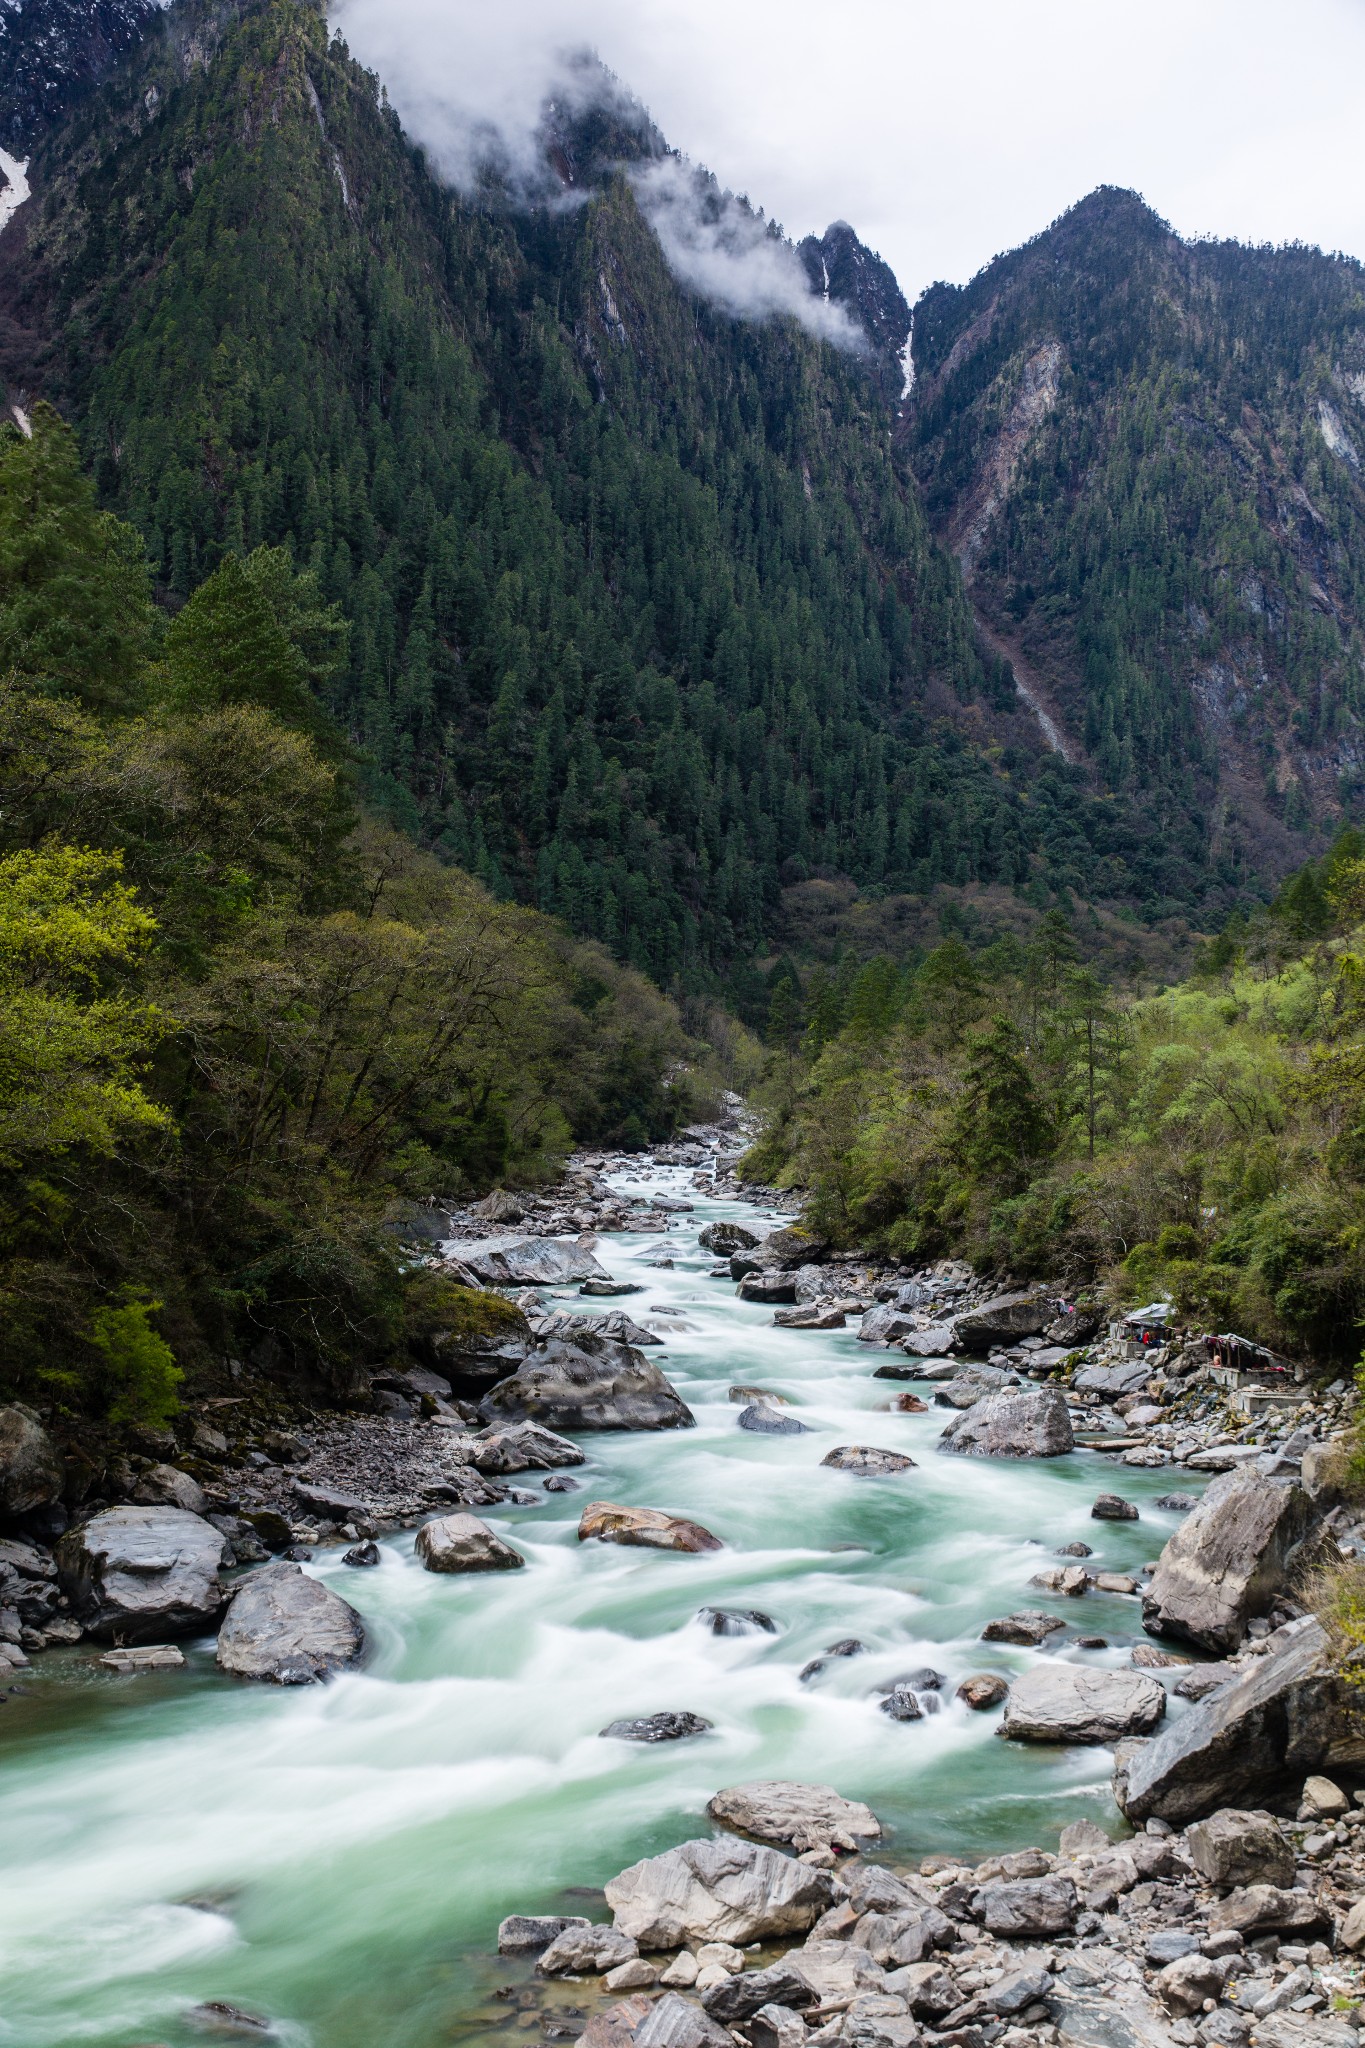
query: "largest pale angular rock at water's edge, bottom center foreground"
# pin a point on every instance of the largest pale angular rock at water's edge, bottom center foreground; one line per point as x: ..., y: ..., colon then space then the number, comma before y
x: 717, y: 1891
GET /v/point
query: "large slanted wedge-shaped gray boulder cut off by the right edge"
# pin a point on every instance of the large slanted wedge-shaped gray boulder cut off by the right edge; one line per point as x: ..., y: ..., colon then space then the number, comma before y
x: 1292, y: 1713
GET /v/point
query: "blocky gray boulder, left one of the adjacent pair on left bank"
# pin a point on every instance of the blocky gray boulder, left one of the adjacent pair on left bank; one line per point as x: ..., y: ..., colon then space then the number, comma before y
x: 142, y: 1574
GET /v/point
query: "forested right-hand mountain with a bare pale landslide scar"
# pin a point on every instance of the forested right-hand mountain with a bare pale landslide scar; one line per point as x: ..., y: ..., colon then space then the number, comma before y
x: 1147, y: 460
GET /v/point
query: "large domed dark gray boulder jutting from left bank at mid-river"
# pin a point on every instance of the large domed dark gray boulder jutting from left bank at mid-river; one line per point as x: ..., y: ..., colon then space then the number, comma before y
x: 588, y: 1385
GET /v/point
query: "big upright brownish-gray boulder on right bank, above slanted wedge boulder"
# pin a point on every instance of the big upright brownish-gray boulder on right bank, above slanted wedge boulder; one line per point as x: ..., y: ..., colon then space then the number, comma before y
x: 1229, y: 1562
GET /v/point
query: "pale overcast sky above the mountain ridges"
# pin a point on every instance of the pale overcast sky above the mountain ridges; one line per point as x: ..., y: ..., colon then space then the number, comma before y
x: 944, y: 130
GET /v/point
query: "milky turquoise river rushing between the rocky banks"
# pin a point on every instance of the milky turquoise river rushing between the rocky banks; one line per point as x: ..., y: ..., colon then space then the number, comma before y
x: 341, y: 1857
